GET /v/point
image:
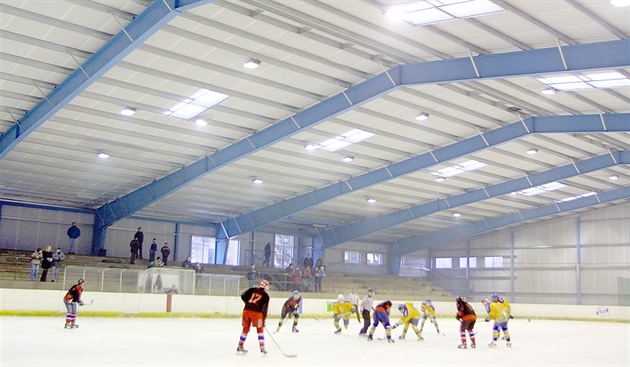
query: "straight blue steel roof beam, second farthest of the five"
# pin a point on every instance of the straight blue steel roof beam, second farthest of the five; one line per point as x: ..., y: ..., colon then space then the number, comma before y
x: 340, y: 234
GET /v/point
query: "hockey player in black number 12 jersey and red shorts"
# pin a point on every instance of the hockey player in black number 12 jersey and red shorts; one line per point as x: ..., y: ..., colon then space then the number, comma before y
x: 254, y: 314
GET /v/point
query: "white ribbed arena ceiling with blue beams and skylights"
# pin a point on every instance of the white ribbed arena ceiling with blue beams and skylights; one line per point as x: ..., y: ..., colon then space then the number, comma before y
x: 329, y: 120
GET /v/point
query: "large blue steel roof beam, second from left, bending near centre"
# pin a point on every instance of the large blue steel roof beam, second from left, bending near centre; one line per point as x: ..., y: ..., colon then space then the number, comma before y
x: 609, y: 55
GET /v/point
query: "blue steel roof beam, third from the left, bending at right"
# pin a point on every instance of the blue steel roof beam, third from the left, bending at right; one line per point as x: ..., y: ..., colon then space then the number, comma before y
x: 547, y: 124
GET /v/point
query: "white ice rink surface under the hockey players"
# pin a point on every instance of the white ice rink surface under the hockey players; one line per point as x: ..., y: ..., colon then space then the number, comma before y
x: 42, y: 341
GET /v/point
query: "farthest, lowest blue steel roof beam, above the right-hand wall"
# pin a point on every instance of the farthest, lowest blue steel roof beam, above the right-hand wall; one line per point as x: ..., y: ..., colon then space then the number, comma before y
x: 460, y: 232
